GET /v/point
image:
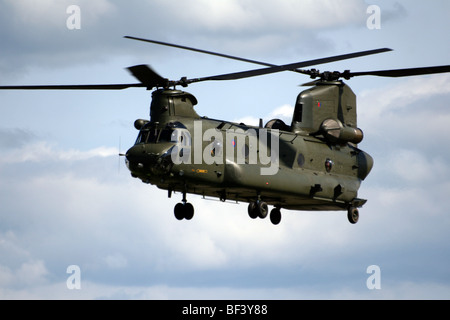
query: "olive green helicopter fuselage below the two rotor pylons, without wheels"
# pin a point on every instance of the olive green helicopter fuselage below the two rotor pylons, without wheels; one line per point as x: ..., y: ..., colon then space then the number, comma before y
x: 231, y: 161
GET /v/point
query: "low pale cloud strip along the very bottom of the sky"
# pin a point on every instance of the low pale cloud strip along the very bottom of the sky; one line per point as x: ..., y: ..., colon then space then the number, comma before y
x: 398, y: 290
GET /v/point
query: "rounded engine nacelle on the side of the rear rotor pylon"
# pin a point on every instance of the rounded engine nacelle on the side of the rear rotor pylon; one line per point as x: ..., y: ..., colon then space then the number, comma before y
x: 336, y: 132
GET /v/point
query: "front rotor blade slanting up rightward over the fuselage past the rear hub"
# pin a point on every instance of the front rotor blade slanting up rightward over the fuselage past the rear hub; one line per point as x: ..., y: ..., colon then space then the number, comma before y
x: 286, y: 67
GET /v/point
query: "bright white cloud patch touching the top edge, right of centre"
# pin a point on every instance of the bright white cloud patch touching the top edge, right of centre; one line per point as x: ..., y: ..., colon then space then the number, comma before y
x: 251, y: 15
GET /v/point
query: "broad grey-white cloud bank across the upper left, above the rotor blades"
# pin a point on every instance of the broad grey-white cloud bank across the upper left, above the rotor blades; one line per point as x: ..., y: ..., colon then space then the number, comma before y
x: 37, y: 35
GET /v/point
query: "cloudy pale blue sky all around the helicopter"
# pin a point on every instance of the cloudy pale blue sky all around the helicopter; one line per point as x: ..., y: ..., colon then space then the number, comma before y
x: 67, y: 199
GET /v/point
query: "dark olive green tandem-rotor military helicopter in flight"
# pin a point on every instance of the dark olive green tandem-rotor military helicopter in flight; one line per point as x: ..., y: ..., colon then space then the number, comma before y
x: 313, y: 163
